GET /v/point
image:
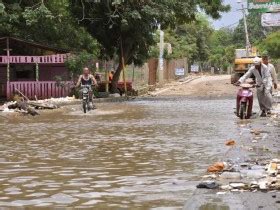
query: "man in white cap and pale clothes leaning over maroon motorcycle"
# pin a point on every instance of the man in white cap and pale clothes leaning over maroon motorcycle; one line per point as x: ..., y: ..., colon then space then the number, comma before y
x: 263, y: 82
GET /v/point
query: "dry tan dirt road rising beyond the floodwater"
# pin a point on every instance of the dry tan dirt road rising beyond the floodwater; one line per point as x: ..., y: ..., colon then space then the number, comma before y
x: 203, y: 86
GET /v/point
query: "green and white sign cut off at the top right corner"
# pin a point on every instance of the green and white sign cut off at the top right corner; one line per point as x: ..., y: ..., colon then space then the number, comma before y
x: 264, y: 5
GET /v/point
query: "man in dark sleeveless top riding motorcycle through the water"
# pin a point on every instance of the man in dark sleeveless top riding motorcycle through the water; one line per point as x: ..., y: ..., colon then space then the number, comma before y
x: 87, y: 79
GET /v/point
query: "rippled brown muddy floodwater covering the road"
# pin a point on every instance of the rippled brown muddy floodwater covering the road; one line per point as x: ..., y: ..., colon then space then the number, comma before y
x: 142, y: 154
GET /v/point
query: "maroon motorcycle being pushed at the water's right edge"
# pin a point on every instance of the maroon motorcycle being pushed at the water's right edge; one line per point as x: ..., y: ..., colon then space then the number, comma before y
x: 244, y: 101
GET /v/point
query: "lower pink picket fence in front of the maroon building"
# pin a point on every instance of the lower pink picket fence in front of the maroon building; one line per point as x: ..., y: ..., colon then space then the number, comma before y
x: 42, y: 90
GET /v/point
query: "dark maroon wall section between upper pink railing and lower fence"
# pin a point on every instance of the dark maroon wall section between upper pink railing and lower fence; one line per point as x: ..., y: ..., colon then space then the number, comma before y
x: 48, y: 72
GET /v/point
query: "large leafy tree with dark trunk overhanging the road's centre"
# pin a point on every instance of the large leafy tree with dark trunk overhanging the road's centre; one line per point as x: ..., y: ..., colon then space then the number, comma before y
x: 127, y: 27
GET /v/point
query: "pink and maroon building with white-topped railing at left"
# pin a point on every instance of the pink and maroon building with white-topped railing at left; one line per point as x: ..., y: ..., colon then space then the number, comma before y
x: 31, y: 68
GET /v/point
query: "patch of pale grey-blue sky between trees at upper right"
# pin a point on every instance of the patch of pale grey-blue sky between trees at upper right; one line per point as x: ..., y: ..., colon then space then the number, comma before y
x: 231, y: 17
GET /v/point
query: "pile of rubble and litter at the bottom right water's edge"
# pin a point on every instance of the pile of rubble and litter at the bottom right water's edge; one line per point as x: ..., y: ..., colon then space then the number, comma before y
x: 243, y: 177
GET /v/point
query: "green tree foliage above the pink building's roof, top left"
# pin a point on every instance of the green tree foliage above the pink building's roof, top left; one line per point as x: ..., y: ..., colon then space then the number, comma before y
x: 49, y: 22
